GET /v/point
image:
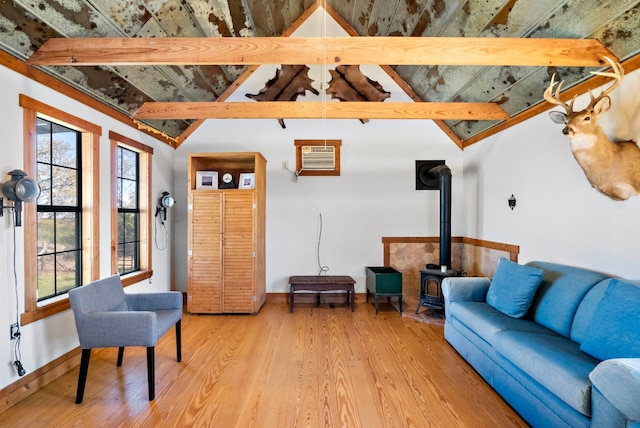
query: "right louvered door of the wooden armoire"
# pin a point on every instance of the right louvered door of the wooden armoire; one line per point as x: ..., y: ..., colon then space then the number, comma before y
x: 238, y: 252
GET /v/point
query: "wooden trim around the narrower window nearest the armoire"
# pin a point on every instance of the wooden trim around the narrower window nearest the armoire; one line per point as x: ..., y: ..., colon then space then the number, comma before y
x: 145, y: 153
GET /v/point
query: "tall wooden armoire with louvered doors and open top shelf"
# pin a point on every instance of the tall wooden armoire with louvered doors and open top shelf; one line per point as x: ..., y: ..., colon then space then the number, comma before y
x: 226, y: 233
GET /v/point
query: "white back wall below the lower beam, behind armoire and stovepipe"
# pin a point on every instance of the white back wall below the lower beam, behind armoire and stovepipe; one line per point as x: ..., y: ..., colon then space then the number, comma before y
x: 373, y: 197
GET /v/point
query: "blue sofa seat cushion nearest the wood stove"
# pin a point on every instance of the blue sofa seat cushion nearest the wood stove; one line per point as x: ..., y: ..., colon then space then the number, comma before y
x: 486, y: 321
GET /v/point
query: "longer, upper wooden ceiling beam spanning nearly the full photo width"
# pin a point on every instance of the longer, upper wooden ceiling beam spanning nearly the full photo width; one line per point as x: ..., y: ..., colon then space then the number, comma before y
x: 322, y: 50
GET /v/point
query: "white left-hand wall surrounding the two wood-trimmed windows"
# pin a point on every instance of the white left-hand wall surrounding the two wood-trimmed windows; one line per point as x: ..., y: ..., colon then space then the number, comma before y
x: 47, y: 339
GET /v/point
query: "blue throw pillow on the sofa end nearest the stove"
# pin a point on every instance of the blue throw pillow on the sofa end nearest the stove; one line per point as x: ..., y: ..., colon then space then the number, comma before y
x: 512, y: 288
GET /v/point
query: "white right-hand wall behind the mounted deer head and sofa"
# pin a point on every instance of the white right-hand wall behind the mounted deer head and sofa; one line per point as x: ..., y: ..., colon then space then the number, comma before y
x: 558, y: 216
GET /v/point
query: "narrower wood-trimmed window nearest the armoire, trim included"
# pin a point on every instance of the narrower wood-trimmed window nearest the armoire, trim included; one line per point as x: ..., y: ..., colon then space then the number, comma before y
x: 131, y: 208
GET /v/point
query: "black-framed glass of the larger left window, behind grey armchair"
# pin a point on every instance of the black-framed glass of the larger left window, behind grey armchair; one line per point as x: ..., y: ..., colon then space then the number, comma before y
x: 58, y: 155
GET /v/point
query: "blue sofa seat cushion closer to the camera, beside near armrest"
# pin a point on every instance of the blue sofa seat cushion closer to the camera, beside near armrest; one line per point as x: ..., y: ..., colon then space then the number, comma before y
x: 553, y: 361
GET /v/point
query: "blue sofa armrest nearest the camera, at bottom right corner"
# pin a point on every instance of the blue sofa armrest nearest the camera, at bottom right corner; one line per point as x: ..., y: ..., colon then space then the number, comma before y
x: 618, y: 380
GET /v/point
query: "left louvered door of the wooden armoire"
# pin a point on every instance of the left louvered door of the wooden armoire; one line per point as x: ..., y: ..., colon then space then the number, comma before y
x: 205, y: 279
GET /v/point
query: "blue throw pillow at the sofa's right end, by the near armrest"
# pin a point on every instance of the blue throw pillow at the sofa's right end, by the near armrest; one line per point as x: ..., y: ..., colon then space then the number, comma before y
x: 614, y: 330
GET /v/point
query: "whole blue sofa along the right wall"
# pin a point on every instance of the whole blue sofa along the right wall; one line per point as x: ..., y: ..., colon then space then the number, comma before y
x: 571, y: 358
